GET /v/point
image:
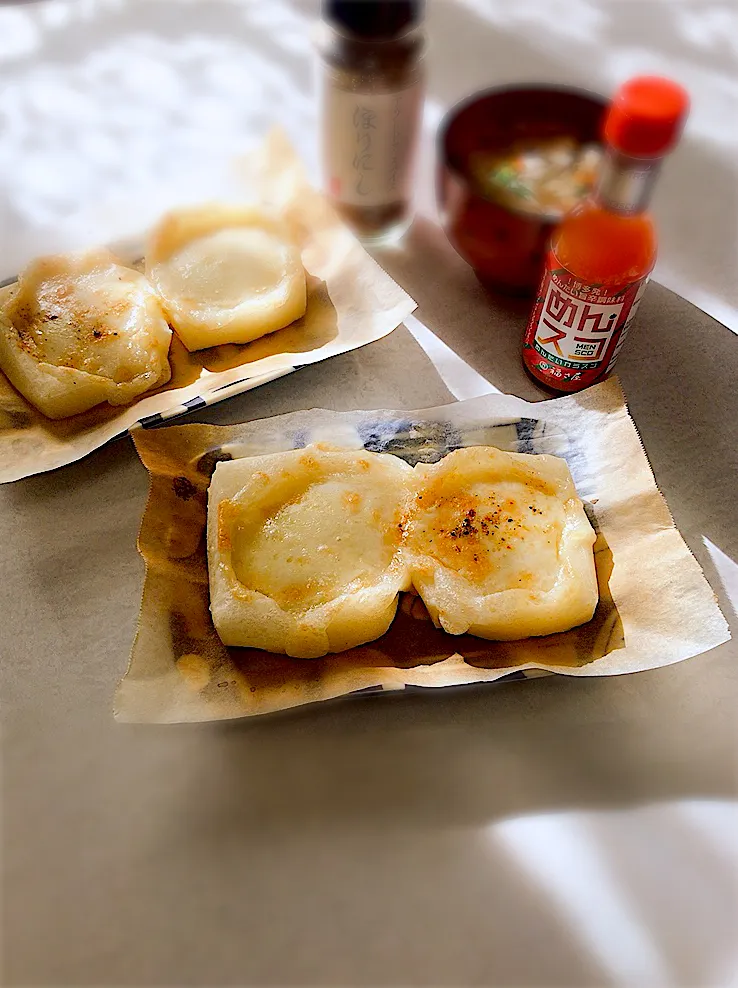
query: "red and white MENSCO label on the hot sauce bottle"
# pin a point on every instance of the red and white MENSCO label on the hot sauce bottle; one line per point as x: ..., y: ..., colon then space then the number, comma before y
x: 576, y: 330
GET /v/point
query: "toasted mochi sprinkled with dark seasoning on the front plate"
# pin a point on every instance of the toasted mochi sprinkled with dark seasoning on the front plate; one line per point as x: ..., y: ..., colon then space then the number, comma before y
x: 500, y: 546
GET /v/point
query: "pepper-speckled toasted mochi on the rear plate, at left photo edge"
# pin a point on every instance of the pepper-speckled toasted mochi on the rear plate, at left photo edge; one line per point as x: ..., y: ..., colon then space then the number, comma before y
x: 79, y: 329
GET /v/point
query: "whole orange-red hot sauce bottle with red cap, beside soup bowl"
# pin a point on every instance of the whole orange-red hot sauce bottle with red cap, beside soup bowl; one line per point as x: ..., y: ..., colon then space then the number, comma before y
x: 603, y: 252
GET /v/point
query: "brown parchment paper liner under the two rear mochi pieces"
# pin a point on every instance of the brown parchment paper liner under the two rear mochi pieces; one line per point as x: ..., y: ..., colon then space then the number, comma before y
x: 351, y: 302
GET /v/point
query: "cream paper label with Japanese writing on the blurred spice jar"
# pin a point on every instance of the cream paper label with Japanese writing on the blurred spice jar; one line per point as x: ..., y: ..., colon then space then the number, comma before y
x: 369, y: 139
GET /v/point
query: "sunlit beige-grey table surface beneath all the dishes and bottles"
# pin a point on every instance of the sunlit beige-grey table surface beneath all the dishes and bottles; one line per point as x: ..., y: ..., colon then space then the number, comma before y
x: 552, y: 832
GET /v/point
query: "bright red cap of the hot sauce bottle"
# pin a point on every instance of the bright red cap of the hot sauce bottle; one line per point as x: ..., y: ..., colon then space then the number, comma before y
x: 646, y: 116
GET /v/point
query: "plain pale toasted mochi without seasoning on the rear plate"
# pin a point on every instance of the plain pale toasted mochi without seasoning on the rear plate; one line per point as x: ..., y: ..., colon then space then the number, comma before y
x: 226, y: 274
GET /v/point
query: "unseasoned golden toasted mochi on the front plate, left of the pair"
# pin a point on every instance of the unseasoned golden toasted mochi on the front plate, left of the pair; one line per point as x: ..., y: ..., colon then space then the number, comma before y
x: 304, y: 548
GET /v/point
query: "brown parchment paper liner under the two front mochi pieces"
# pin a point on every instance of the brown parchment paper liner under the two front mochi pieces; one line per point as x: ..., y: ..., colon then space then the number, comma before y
x: 655, y: 605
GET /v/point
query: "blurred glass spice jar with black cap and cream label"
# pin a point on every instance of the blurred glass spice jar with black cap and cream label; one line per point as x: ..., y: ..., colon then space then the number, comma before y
x: 372, y: 101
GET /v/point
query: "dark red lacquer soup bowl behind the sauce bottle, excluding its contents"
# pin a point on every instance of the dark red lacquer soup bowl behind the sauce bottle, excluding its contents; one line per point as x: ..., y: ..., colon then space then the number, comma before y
x: 505, y: 247
